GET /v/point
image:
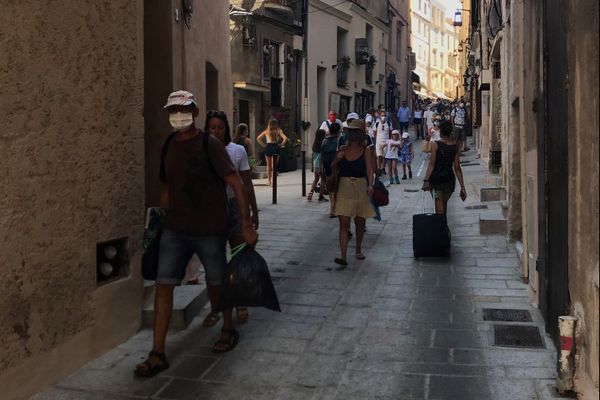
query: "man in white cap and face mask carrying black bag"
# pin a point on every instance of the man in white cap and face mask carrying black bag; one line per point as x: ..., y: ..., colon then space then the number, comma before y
x: 194, y: 169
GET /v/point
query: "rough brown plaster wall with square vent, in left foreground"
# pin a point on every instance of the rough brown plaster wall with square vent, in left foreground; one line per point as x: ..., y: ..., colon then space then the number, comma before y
x: 72, y: 156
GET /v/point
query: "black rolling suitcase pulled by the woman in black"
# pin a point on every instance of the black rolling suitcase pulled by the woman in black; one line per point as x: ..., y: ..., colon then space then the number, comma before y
x: 431, y: 235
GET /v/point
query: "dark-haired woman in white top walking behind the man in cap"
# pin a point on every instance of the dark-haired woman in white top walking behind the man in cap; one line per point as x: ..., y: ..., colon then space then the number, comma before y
x: 218, y: 126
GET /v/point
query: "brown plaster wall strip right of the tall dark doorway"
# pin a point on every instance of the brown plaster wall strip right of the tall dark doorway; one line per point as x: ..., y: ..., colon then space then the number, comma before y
x: 582, y: 48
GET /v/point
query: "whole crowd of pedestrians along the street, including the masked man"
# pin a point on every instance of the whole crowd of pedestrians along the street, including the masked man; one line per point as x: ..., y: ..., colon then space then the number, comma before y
x: 207, y: 191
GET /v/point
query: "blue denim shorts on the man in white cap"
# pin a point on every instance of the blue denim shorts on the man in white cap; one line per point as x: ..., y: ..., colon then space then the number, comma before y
x: 177, y: 249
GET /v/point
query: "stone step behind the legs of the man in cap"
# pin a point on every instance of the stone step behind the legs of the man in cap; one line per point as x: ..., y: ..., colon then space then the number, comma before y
x: 188, y: 301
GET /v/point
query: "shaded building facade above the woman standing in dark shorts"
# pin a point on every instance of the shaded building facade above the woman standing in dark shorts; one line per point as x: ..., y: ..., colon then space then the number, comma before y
x: 266, y: 54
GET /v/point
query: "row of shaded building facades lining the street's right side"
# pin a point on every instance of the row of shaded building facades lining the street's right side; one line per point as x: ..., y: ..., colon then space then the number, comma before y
x: 535, y: 93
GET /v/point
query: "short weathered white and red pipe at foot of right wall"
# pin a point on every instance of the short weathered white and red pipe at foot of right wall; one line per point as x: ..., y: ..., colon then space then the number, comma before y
x: 566, y: 361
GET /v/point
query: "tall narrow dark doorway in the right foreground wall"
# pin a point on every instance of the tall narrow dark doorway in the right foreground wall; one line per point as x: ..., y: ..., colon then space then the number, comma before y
x: 554, y: 200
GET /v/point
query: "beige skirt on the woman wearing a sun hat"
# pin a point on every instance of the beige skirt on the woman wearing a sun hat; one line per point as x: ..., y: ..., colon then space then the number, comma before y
x: 352, y: 200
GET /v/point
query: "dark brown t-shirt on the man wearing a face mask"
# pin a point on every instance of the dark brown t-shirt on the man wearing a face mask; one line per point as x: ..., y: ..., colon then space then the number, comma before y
x: 197, y: 198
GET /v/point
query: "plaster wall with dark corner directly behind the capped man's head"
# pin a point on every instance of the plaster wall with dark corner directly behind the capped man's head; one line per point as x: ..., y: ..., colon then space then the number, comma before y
x: 177, y: 57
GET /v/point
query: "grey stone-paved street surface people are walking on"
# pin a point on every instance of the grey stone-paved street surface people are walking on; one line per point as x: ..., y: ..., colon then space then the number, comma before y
x: 389, y: 327
